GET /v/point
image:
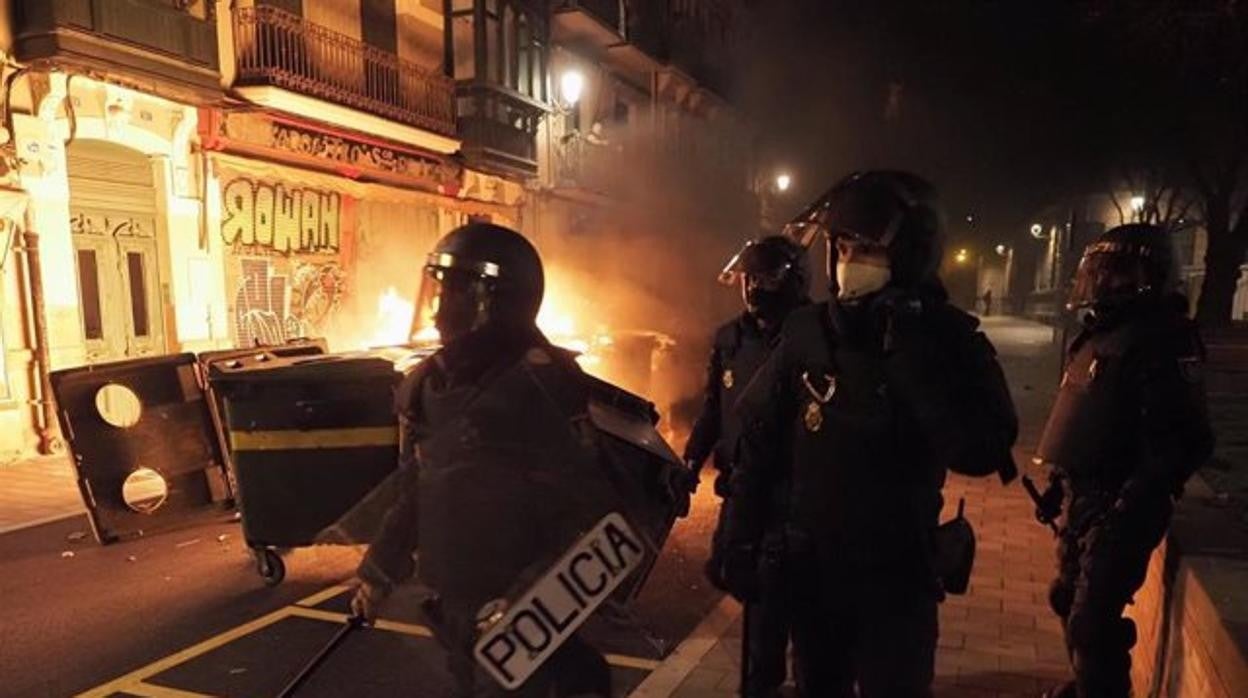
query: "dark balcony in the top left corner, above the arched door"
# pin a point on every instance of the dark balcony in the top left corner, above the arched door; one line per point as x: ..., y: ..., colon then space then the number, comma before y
x: 162, y: 39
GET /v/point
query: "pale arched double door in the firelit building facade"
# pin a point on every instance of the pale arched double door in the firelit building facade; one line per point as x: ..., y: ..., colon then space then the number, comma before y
x: 113, y: 219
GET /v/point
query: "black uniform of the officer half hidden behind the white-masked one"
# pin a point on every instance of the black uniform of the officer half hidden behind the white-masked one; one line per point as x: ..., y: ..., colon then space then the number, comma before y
x: 741, y: 349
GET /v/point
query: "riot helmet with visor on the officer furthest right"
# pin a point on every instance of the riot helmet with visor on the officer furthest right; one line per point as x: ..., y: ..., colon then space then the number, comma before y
x: 1125, y: 264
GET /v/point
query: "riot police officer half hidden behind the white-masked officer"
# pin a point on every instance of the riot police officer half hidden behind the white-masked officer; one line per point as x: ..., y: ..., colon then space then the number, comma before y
x: 776, y: 280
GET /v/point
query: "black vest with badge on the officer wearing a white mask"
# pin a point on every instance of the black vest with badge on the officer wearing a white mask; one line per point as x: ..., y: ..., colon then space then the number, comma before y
x: 859, y: 488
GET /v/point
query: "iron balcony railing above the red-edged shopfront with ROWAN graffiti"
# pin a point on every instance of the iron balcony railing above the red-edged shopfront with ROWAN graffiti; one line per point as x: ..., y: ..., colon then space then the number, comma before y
x: 284, y: 51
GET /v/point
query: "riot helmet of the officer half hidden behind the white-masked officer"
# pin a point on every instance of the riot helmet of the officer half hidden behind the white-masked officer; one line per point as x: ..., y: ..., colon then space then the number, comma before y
x: 776, y: 277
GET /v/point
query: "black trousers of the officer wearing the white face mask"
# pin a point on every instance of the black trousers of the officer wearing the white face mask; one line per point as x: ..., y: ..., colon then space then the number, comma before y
x: 878, y: 635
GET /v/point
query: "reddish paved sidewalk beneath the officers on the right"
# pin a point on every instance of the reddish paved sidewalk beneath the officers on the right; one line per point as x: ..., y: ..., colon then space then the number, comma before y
x: 999, y: 641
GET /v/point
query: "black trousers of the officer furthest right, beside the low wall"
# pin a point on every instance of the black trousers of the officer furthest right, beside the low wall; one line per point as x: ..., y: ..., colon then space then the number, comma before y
x: 1103, y: 559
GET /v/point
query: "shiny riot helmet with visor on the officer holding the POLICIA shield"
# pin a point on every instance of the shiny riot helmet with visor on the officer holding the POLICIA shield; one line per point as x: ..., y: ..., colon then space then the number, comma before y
x: 479, y: 275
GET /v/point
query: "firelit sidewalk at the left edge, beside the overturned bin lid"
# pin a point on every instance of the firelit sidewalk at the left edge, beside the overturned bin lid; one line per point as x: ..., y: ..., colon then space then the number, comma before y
x: 38, y: 491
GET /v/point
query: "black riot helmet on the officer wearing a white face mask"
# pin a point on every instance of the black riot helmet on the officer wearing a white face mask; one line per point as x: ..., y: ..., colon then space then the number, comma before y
x: 889, y: 209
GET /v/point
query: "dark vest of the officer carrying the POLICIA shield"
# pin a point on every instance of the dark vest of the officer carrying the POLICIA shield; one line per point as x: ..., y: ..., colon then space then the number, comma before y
x: 507, y: 478
